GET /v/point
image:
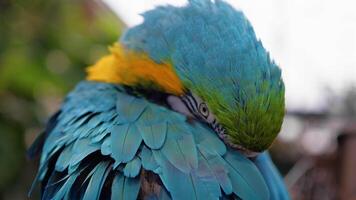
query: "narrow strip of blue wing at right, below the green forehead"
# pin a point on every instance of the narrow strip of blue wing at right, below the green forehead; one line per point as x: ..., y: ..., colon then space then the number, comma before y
x: 277, y: 188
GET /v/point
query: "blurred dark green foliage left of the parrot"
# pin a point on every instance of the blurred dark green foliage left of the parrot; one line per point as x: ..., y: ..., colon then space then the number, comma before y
x: 44, y: 47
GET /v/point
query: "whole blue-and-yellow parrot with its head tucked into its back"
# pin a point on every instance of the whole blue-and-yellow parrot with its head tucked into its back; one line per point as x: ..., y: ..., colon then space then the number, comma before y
x: 184, y: 106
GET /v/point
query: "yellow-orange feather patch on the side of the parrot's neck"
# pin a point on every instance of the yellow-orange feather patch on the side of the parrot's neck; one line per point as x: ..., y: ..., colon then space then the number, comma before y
x: 130, y: 68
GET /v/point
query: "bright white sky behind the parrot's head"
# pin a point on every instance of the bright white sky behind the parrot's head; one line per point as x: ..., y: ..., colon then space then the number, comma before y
x: 314, y: 41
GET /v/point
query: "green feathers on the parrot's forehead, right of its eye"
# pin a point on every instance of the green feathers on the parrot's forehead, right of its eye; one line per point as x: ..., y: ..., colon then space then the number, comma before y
x: 252, y: 125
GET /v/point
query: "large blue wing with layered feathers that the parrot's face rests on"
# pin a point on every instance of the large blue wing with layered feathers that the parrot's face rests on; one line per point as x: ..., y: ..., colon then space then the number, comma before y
x: 102, y: 140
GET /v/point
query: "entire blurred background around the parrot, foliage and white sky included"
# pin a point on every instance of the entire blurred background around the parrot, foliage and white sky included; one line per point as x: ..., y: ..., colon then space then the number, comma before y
x: 45, y: 46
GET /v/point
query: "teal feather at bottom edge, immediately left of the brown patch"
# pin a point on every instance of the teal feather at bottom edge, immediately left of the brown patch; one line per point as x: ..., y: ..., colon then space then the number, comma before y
x: 124, y: 188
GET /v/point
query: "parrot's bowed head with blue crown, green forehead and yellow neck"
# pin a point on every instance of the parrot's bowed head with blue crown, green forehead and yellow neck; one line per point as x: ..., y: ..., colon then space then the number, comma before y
x: 207, y: 54
